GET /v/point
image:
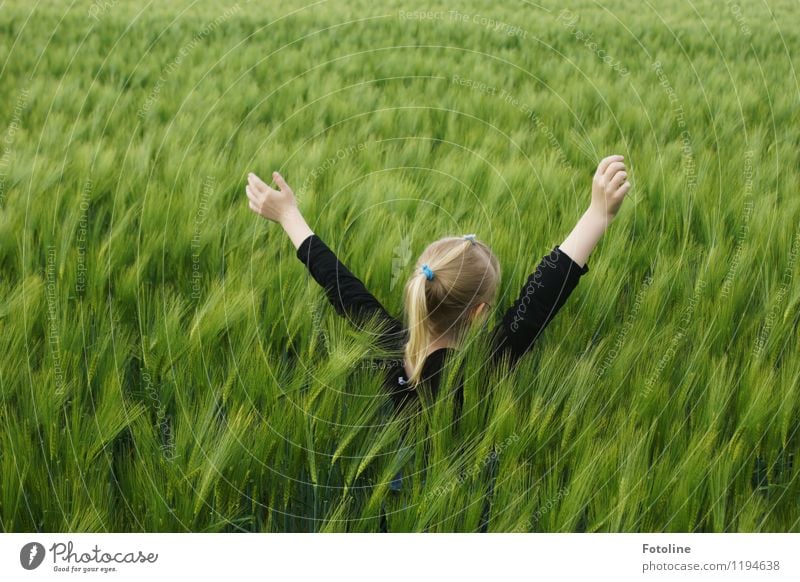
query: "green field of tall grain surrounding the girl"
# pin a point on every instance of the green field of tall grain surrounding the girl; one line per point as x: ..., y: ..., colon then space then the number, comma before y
x: 168, y: 365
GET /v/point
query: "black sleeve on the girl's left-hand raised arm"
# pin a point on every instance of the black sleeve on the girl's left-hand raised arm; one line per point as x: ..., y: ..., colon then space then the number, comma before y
x: 345, y: 291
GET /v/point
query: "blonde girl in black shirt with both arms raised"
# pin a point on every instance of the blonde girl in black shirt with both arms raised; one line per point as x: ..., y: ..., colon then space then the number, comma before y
x: 453, y: 285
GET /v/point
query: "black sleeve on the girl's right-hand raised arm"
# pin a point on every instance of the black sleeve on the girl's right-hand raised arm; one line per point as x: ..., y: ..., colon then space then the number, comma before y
x: 543, y: 294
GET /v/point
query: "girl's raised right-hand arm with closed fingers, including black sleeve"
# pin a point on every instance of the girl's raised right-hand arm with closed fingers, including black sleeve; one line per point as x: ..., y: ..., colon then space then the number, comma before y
x: 551, y: 284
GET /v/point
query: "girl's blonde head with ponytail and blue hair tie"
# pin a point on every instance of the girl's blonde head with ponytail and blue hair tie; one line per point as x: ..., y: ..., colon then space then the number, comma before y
x: 455, y: 280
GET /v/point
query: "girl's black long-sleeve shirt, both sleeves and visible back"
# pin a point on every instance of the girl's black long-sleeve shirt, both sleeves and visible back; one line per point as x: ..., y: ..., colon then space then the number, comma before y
x: 541, y: 297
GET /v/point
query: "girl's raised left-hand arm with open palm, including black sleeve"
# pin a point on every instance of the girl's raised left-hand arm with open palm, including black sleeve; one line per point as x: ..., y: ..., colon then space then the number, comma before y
x: 345, y: 291
